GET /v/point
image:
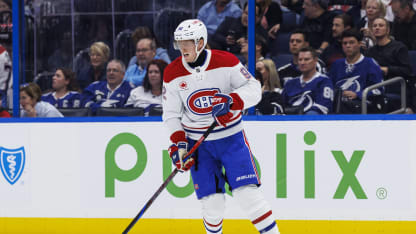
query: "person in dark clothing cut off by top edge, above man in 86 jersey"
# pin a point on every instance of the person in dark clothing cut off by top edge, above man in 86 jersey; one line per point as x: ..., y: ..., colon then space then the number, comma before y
x: 317, y: 23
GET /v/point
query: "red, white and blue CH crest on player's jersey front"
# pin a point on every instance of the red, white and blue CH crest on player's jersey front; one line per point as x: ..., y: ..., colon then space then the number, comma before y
x: 200, y: 101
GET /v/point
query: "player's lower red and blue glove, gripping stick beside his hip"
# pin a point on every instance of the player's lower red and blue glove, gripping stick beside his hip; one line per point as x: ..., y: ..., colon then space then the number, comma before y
x: 178, y: 150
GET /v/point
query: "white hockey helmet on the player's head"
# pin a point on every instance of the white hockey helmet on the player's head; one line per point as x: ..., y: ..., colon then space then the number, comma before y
x: 191, y: 29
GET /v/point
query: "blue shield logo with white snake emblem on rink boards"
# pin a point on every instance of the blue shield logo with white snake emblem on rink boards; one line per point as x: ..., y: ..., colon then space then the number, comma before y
x: 12, y: 162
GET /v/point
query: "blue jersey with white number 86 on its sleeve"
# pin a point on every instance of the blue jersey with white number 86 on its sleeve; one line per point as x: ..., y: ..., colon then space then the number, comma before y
x: 315, y: 94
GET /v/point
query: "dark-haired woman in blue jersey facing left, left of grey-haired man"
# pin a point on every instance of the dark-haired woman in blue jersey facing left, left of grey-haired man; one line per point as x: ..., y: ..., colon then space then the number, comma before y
x: 65, y: 94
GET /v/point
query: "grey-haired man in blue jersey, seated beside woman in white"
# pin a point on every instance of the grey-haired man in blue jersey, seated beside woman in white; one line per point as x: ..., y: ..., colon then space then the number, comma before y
x: 112, y: 92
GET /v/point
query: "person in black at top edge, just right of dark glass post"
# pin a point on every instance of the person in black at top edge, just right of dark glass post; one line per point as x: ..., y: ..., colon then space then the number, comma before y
x: 272, y: 18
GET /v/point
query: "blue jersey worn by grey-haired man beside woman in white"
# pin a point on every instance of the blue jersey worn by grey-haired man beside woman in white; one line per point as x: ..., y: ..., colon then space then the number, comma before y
x: 98, y: 94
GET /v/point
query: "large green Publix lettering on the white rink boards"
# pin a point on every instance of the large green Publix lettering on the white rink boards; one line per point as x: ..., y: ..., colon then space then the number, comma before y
x: 348, y: 165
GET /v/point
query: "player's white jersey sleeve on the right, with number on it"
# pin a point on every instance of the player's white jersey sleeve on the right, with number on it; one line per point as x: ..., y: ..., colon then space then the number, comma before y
x: 245, y: 85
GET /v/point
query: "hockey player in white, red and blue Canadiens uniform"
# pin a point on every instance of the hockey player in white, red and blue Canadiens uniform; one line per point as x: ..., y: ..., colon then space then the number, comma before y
x: 200, y: 87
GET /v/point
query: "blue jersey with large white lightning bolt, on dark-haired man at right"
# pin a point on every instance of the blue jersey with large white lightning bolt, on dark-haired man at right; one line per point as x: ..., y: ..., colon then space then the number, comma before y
x: 356, y: 77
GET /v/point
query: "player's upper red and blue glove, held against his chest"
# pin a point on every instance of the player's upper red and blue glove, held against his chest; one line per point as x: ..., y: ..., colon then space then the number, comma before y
x: 224, y: 107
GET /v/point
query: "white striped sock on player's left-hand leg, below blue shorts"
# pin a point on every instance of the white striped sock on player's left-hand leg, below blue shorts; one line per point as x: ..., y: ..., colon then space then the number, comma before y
x: 213, y: 207
